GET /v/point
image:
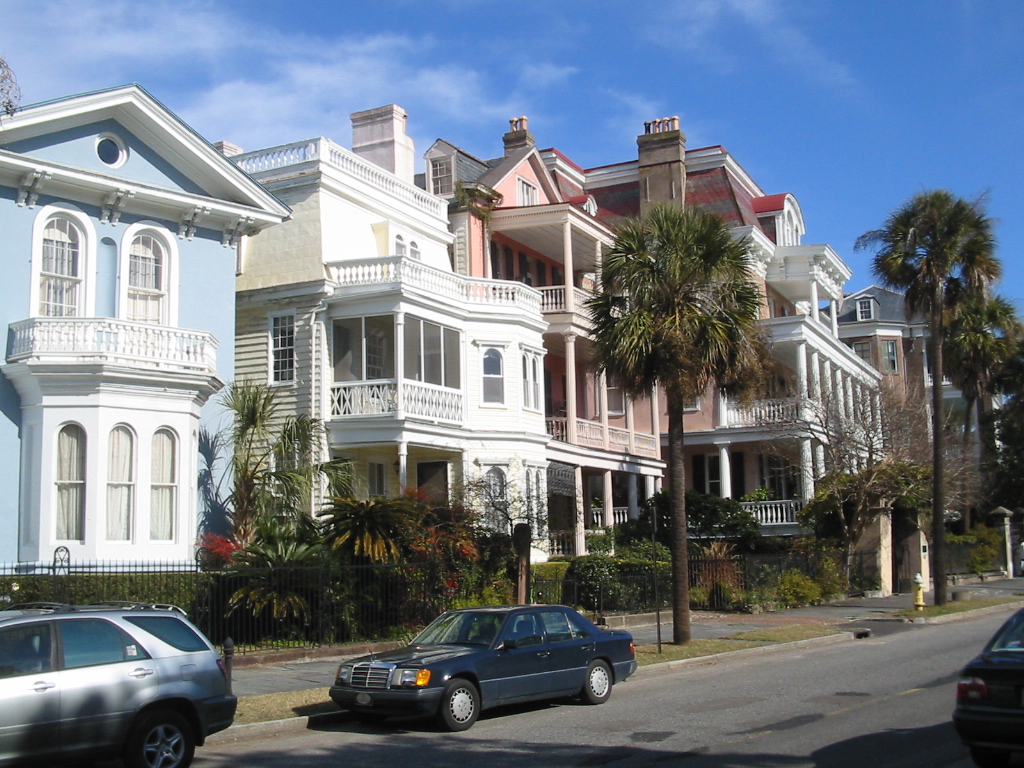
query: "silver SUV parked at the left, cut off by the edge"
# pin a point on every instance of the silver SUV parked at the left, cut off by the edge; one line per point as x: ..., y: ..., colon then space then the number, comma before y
x: 140, y: 681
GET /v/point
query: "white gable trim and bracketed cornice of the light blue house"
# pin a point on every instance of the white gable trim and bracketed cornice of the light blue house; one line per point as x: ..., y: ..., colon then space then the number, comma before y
x: 226, y: 189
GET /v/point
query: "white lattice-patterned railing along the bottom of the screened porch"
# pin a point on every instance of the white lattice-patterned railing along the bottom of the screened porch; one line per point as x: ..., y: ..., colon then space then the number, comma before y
x: 413, y: 398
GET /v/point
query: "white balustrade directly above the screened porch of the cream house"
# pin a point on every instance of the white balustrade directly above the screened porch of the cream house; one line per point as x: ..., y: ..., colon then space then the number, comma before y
x: 416, y: 275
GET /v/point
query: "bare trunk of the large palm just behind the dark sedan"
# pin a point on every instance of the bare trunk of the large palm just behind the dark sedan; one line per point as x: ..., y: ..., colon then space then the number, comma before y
x: 680, y: 543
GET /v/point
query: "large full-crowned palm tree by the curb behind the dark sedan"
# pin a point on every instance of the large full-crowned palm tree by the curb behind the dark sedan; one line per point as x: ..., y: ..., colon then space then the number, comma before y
x: 677, y: 309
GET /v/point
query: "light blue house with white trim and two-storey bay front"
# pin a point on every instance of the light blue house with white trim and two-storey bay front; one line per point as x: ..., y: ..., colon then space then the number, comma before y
x: 120, y: 233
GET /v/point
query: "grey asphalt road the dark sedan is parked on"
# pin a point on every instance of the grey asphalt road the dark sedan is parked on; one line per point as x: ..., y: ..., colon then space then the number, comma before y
x: 884, y: 702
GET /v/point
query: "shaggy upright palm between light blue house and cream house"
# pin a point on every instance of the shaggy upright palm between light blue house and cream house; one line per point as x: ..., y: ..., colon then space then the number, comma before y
x: 275, y: 461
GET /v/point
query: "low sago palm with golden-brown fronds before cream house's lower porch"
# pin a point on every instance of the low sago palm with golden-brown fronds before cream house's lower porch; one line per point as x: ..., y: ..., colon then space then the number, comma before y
x: 373, y: 529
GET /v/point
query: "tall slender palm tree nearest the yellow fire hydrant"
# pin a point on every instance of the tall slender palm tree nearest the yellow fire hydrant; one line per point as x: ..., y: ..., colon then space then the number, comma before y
x: 940, y: 250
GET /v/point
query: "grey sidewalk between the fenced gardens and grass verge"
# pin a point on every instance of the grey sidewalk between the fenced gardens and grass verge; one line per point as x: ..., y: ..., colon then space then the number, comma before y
x: 876, y: 614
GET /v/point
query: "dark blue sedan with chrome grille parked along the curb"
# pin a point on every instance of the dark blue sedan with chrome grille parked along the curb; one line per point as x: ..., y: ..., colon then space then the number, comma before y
x: 473, y: 660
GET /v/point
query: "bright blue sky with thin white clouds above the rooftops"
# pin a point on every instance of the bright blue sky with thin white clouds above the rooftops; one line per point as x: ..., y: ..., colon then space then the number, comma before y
x: 852, y: 107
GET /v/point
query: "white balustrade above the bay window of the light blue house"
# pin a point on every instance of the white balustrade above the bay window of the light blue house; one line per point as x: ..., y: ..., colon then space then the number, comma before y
x: 107, y: 340
